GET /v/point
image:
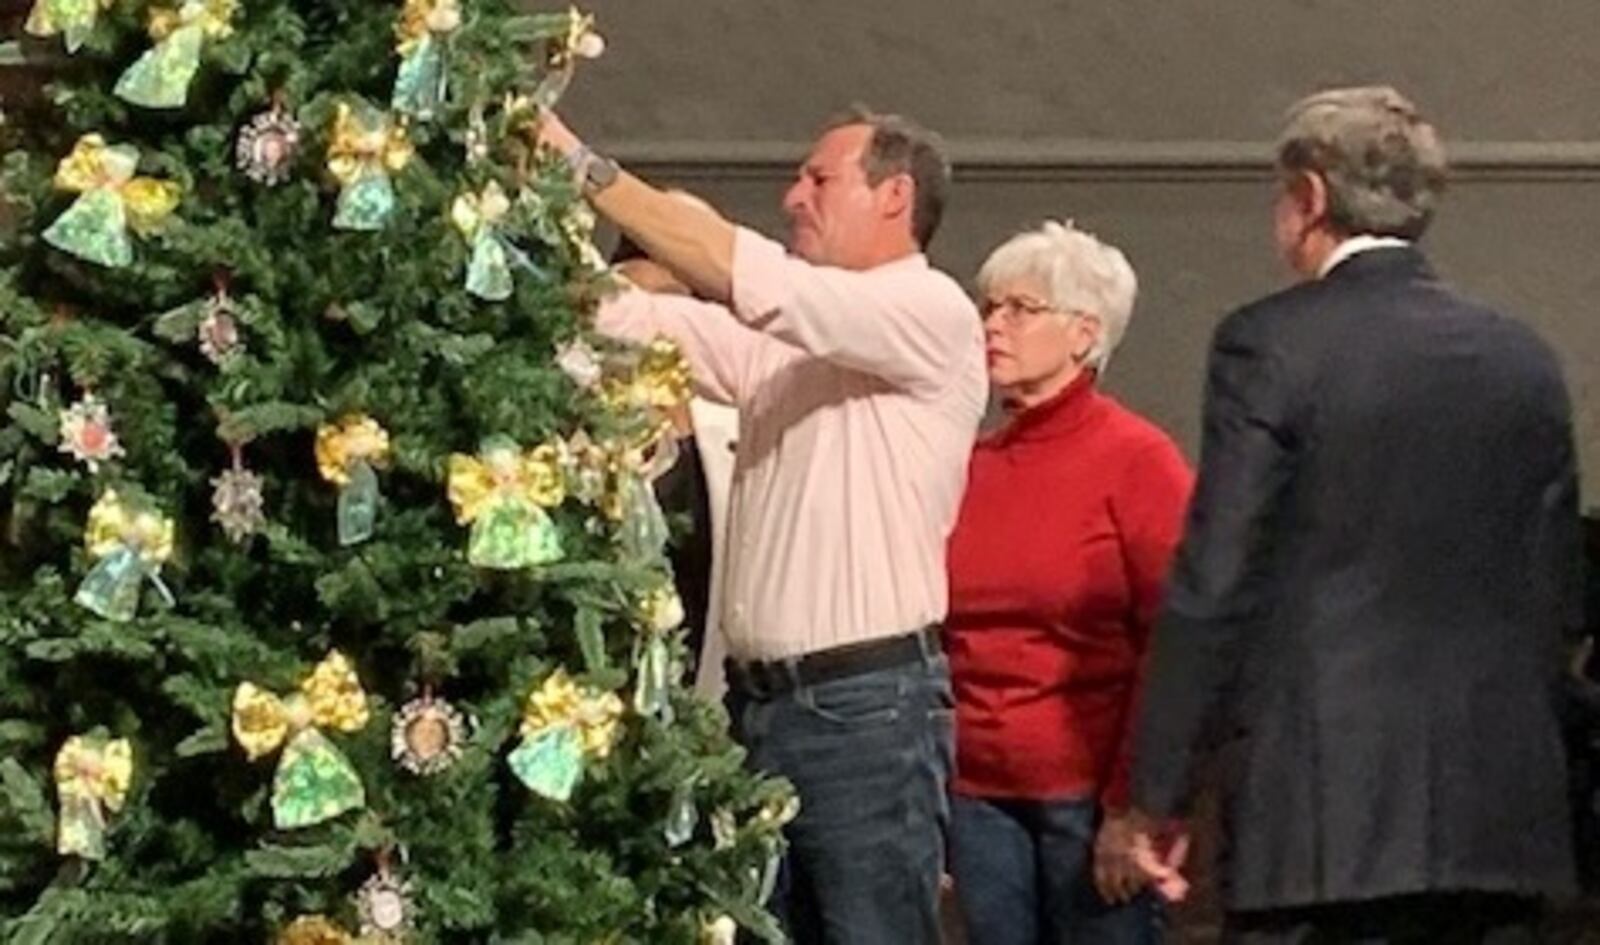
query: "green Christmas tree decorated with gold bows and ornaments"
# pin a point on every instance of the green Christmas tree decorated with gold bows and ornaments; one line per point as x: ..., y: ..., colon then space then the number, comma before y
x: 334, y: 604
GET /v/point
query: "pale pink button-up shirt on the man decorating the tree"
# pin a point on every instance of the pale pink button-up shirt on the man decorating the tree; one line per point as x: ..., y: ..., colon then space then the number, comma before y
x: 860, y: 397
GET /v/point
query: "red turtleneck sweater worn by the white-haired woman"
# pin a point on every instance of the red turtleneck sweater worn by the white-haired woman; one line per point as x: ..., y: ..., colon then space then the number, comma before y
x: 1057, y: 564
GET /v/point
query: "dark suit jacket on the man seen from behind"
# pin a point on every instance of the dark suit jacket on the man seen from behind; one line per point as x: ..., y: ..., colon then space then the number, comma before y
x: 1380, y: 562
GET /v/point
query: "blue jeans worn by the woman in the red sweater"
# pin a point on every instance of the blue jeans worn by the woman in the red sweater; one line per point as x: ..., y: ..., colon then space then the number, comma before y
x: 1025, y: 875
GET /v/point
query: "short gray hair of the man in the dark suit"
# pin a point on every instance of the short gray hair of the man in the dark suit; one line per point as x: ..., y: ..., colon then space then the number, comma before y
x: 1385, y: 165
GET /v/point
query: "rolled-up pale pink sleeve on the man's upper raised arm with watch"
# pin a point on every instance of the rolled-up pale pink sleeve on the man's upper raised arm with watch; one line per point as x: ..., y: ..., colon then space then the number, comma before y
x: 908, y: 327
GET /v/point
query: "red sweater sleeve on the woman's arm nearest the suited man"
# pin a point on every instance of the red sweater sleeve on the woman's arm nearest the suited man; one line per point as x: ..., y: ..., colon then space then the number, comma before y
x: 1148, y: 506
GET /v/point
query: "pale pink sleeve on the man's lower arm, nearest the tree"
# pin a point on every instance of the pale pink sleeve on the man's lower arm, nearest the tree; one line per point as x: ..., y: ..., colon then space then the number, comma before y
x: 719, y: 349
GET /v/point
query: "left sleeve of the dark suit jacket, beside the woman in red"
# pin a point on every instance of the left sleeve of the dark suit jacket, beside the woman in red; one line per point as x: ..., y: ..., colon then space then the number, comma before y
x: 1215, y: 591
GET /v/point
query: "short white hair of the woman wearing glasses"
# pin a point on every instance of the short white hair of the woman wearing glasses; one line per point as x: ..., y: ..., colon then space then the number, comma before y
x: 1079, y: 273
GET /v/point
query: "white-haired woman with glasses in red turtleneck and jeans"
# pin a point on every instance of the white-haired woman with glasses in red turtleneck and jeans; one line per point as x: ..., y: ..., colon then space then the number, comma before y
x: 1071, y: 516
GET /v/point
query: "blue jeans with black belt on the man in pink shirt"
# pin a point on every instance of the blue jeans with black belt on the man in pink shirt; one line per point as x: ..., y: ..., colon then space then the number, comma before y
x: 871, y: 759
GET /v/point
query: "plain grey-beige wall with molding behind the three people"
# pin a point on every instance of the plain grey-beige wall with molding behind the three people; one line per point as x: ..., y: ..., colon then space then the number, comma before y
x: 1148, y: 122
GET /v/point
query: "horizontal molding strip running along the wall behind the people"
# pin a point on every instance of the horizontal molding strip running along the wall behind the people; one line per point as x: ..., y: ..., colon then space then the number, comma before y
x: 998, y: 161
